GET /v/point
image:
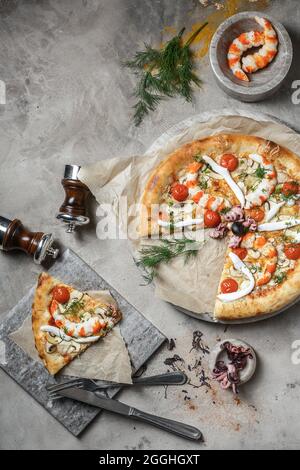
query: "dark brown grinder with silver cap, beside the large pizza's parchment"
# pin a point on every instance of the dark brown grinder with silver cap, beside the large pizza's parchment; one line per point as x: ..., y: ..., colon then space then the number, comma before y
x: 73, y: 211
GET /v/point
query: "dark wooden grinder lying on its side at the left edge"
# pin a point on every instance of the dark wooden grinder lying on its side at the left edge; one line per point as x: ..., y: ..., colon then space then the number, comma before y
x: 14, y: 236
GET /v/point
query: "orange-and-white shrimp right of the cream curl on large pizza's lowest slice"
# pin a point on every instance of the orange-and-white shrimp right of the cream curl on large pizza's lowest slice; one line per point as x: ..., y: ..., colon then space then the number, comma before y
x: 264, y: 253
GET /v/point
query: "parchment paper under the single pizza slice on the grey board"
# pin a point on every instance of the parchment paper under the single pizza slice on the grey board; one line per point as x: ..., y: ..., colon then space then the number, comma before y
x: 107, y: 359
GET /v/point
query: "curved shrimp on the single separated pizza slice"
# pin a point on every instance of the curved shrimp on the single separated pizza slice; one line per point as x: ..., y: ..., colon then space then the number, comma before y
x: 89, y: 327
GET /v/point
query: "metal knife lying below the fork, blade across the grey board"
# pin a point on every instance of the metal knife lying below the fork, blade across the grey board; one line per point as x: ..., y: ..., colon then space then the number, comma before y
x: 115, y: 406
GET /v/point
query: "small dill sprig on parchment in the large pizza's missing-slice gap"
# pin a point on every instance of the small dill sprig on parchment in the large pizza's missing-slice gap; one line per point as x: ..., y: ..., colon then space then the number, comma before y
x: 152, y: 256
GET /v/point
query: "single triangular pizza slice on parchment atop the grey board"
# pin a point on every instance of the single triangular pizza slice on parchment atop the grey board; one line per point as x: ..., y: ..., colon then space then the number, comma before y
x: 65, y: 321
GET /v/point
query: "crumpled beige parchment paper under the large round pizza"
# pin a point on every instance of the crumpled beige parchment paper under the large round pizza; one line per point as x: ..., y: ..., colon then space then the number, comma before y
x: 193, y: 285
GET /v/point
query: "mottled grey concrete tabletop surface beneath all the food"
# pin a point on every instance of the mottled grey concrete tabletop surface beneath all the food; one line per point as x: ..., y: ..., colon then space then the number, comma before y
x: 68, y: 100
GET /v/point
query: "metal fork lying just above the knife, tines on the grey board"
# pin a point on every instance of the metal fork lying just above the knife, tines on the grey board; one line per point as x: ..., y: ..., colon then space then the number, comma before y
x: 170, y: 378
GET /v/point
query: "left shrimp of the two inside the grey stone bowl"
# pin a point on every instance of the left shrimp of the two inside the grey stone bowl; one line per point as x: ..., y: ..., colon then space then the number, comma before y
x: 242, y: 43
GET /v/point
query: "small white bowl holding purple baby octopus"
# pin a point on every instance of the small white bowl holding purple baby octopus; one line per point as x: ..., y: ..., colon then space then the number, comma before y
x: 220, y: 354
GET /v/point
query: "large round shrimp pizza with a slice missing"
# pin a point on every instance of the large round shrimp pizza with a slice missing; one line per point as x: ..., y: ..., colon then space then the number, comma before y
x: 243, y: 188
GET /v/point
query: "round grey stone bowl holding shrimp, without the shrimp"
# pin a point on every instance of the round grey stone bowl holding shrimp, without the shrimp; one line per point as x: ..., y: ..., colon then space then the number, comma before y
x: 263, y: 83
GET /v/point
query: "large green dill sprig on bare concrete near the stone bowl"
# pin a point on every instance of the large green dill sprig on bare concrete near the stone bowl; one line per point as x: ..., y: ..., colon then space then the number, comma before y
x: 162, y: 73
